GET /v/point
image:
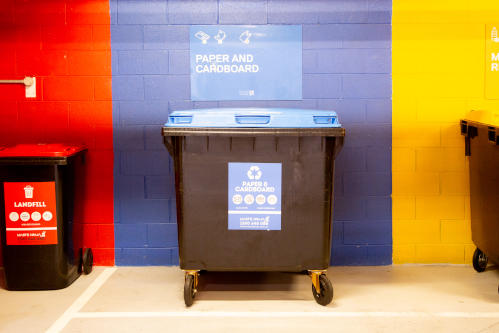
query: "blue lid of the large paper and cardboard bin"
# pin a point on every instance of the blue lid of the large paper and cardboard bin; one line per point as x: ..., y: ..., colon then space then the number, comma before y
x: 253, y: 117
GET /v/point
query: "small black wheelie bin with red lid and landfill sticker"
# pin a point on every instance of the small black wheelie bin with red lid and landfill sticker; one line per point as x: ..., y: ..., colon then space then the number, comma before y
x: 41, y: 248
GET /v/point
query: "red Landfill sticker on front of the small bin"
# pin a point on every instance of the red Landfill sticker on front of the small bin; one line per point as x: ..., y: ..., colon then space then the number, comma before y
x: 30, y: 213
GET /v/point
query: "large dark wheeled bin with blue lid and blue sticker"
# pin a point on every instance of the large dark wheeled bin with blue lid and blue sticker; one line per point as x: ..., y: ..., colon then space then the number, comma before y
x: 254, y: 191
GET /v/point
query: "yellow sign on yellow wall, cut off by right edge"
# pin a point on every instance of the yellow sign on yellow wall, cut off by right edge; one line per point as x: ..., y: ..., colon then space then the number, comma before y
x: 492, y: 61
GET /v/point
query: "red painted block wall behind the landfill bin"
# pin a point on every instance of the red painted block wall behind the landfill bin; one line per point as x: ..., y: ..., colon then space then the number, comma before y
x: 66, y: 46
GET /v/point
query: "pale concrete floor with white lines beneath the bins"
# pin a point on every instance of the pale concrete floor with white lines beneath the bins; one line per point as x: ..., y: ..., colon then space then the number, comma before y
x: 405, y: 298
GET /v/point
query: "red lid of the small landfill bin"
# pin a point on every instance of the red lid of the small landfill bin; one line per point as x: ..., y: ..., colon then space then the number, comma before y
x: 40, y: 150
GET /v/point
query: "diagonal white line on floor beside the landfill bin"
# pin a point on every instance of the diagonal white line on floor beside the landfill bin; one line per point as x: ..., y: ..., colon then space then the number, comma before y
x: 80, y: 302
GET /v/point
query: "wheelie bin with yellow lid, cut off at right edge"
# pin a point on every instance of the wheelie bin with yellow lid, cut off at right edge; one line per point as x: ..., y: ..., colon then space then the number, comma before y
x: 481, y: 131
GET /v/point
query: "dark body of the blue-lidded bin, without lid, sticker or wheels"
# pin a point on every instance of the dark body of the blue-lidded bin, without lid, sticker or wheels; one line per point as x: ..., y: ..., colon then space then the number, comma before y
x: 201, y: 157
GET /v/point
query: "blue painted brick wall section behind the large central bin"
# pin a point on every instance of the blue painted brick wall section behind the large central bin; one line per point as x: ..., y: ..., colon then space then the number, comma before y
x: 346, y: 67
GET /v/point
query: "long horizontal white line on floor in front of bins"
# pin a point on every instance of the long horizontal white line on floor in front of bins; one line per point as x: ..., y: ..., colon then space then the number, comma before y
x: 338, y: 314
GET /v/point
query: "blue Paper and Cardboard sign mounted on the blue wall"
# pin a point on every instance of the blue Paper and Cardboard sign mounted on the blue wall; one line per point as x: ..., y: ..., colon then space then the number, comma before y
x: 237, y: 62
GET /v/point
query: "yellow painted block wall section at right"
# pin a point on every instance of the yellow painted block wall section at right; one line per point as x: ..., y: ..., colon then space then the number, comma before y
x: 438, y: 76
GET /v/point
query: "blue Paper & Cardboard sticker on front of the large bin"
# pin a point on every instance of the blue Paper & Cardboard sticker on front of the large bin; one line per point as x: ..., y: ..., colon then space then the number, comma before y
x: 255, y: 196
